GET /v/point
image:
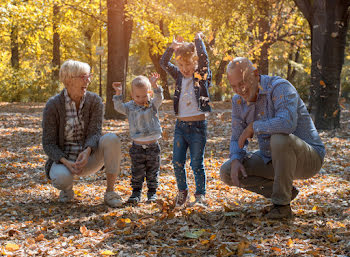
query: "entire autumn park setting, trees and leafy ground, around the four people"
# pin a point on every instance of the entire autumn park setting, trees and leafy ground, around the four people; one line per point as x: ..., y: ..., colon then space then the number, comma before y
x: 281, y: 37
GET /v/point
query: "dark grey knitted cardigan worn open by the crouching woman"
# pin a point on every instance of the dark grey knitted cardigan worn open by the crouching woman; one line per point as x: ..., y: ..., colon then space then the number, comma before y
x: 54, y: 122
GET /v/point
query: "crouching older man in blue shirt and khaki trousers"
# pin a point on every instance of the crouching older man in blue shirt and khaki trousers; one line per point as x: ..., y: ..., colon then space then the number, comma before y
x: 289, y: 145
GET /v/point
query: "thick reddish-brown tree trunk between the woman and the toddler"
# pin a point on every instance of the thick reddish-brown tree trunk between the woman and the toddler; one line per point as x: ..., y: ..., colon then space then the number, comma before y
x: 119, y: 35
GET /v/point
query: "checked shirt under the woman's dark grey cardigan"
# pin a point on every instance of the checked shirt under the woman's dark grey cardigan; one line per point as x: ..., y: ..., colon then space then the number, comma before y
x: 73, y: 133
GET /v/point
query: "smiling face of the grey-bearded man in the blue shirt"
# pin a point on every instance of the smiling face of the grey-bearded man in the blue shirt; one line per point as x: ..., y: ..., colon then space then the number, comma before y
x: 244, y: 83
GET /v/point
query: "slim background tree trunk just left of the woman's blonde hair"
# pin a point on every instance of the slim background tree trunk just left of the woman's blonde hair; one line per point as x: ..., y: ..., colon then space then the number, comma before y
x: 56, y: 55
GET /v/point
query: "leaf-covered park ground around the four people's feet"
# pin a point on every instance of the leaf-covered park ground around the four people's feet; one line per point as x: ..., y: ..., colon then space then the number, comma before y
x: 34, y: 223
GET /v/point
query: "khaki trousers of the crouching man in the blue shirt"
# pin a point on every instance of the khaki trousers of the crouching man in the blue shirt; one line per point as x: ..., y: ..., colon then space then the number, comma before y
x: 292, y: 158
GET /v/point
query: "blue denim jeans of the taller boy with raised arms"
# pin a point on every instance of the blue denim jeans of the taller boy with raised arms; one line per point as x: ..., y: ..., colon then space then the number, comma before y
x: 192, y: 135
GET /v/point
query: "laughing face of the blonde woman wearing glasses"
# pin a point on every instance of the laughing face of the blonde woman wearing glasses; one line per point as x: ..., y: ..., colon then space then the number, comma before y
x: 77, y: 86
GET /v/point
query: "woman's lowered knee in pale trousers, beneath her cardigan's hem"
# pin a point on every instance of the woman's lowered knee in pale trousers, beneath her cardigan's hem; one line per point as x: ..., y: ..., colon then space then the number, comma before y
x: 61, y: 177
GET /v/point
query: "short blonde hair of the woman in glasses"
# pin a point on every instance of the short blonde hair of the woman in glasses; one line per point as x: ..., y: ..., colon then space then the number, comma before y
x: 71, y: 68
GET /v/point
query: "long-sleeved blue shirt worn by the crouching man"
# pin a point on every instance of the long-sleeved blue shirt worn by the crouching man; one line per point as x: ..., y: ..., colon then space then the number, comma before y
x: 277, y: 110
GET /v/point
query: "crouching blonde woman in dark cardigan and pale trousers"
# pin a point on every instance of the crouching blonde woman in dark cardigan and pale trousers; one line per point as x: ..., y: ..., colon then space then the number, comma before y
x: 72, y: 126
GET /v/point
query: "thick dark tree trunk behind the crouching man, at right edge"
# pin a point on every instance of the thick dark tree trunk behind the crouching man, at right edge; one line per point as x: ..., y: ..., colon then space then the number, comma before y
x: 328, y: 22
